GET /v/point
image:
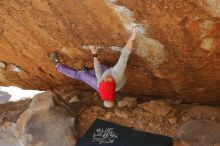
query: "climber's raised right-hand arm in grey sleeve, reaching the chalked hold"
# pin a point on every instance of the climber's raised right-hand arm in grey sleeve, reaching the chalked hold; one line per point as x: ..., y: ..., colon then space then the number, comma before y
x: 120, y: 67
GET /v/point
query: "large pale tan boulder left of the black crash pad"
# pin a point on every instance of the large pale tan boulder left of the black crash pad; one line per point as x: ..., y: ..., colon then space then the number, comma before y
x: 47, y: 122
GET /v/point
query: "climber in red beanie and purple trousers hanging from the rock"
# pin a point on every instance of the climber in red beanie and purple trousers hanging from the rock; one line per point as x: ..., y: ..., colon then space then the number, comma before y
x: 104, y: 80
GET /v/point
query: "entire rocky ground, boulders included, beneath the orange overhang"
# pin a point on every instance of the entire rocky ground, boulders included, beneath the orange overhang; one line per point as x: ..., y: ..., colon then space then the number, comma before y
x: 50, y: 120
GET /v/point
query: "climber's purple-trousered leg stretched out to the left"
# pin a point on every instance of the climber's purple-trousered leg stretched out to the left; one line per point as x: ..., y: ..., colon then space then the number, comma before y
x: 86, y: 76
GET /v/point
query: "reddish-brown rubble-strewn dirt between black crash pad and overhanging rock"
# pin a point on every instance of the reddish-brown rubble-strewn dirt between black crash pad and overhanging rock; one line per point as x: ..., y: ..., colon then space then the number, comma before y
x: 161, y: 116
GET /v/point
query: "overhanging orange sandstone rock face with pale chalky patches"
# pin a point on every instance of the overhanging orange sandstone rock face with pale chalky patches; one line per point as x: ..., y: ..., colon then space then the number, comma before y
x: 176, y: 52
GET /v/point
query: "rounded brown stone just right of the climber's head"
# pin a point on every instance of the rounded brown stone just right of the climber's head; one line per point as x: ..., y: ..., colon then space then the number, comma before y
x: 129, y: 102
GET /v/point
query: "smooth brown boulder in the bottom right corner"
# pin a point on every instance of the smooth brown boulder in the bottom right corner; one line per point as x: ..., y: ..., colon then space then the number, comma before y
x: 200, y: 133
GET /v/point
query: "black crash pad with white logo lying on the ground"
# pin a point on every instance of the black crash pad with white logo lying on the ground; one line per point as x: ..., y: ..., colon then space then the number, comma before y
x: 103, y: 133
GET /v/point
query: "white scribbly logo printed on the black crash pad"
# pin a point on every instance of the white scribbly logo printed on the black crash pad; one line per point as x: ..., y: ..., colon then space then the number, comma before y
x: 104, y: 136
